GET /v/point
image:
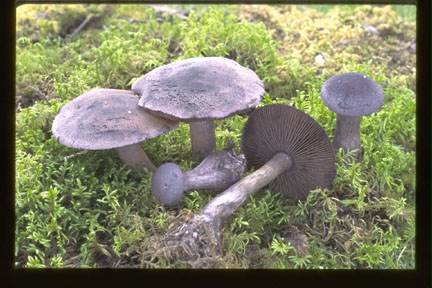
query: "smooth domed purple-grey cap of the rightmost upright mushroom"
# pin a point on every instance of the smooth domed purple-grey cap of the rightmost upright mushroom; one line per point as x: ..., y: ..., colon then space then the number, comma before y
x: 352, y: 94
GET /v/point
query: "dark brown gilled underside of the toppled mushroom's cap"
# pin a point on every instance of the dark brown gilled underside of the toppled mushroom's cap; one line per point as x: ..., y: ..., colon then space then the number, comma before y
x: 281, y: 128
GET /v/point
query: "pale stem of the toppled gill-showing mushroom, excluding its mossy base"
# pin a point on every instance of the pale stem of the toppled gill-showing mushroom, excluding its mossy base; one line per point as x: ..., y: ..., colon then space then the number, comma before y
x: 224, y: 205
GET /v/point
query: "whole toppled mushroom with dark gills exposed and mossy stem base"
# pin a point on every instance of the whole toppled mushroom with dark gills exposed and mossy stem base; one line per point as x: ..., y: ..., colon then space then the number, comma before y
x: 292, y: 153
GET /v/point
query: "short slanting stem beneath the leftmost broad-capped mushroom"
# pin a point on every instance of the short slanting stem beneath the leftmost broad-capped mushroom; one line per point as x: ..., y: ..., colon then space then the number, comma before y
x: 134, y: 156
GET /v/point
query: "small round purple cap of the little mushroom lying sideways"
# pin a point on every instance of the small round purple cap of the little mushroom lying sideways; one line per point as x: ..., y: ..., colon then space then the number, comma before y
x: 167, y: 184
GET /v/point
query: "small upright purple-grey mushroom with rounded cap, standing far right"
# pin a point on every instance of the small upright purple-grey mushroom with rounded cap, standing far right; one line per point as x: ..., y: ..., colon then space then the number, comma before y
x: 351, y: 95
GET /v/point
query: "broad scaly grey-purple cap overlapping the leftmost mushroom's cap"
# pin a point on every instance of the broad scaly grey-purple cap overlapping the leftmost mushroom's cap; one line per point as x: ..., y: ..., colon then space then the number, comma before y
x: 198, y: 89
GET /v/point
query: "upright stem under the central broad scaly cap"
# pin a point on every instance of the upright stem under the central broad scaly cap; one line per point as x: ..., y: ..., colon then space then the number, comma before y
x: 203, y: 138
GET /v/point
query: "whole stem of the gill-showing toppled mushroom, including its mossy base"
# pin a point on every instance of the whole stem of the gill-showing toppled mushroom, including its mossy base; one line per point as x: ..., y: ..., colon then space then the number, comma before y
x: 200, y: 237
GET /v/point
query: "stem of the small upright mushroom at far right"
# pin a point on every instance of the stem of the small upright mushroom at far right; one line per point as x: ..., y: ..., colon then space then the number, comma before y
x: 347, y: 133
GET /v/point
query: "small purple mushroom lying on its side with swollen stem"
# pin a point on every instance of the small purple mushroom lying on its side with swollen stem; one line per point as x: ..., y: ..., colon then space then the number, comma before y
x: 217, y: 171
